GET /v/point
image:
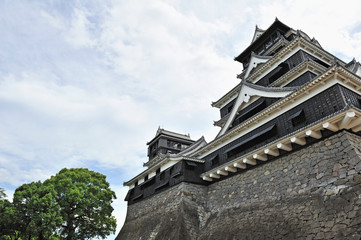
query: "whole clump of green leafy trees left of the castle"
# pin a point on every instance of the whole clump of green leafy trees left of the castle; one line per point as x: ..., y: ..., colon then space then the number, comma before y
x: 73, y: 204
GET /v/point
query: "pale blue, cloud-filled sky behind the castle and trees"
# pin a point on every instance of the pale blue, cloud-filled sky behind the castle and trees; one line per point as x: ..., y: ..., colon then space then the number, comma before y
x: 85, y: 84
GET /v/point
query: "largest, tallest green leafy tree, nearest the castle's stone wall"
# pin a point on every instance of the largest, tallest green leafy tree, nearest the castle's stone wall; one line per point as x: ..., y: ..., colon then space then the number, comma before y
x: 85, y: 201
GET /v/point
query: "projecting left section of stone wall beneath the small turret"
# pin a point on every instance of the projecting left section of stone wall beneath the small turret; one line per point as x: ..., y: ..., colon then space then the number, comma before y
x: 175, y: 213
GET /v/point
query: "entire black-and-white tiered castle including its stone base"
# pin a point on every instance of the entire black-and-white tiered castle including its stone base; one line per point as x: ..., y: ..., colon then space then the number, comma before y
x: 286, y: 163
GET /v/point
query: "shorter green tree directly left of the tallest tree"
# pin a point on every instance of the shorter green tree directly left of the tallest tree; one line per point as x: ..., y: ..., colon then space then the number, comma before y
x: 36, y: 211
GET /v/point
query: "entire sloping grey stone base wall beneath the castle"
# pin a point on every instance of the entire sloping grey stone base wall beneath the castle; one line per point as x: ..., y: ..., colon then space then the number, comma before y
x: 314, y: 193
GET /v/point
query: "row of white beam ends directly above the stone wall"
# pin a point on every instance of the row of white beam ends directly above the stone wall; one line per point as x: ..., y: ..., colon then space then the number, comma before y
x: 346, y: 119
